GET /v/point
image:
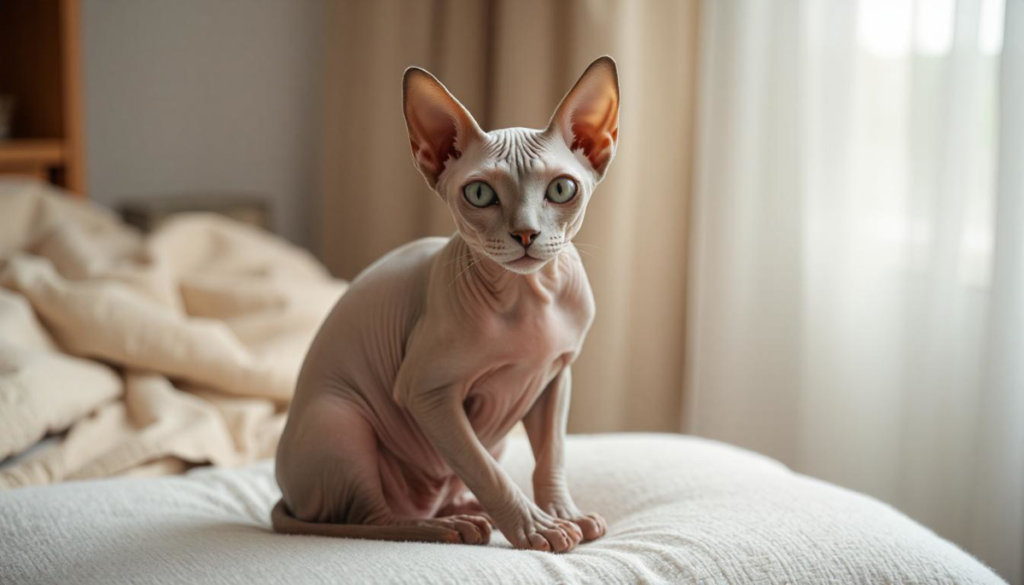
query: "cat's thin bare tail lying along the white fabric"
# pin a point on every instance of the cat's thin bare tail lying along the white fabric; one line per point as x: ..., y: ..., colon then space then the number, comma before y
x: 285, y: 523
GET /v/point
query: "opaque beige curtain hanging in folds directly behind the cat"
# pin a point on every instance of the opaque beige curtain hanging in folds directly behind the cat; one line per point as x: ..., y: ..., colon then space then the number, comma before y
x: 510, y: 63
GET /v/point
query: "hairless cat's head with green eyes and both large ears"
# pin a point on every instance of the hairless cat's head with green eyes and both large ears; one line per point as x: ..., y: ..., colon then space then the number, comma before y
x: 518, y: 195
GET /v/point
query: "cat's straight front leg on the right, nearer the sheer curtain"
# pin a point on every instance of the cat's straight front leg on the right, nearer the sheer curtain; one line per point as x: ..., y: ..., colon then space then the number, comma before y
x: 546, y: 428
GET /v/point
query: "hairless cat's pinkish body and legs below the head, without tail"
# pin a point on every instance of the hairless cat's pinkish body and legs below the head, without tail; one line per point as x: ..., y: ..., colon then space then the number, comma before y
x: 425, y: 356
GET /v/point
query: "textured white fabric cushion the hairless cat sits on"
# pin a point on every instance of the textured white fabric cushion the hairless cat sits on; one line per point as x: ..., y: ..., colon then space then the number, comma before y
x: 680, y: 511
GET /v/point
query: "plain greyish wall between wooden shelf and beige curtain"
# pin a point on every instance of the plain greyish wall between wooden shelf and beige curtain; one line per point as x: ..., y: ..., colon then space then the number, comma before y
x: 197, y: 97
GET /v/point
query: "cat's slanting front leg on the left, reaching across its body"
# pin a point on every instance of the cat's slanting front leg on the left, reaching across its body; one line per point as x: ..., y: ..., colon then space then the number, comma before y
x: 443, y: 419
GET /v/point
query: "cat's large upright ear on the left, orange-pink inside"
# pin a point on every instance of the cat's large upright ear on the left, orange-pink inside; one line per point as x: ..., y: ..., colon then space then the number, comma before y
x: 440, y: 128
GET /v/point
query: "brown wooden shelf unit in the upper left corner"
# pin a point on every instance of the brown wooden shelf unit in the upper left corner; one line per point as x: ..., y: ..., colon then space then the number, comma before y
x: 40, y: 69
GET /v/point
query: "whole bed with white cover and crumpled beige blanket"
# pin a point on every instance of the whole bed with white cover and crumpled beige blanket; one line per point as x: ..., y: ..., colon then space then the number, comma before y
x: 144, y: 382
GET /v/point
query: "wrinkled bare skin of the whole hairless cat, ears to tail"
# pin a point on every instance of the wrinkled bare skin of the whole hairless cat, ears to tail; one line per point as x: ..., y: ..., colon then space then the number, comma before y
x: 443, y: 346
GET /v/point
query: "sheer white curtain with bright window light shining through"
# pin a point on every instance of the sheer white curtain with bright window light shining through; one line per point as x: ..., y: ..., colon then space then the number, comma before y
x: 858, y: 305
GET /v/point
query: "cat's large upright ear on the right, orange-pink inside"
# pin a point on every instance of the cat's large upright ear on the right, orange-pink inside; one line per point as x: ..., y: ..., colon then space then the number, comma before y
x: 588, y: 116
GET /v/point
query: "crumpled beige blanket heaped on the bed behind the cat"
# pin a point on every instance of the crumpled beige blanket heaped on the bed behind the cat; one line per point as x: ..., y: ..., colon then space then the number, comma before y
x: 145, y: 355
